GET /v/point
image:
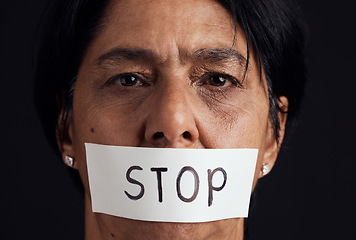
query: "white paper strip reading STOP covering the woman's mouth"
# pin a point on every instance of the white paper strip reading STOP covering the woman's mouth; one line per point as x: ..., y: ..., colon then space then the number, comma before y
x: 170, y: 184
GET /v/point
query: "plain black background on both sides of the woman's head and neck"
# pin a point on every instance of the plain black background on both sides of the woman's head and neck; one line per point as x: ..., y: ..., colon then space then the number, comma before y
x: 310, y: 193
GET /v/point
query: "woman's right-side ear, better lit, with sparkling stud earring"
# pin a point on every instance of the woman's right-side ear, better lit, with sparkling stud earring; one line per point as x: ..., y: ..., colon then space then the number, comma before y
x: 272, y: 146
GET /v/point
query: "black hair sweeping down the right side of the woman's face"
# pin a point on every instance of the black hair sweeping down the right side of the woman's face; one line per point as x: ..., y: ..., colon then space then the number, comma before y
x: 276, y: 30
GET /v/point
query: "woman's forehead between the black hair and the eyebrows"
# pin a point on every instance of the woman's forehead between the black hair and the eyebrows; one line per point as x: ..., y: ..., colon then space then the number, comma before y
x: 166, y: 26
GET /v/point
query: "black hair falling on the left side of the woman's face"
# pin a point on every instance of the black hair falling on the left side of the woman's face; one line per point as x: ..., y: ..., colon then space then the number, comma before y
x: 68, y: 26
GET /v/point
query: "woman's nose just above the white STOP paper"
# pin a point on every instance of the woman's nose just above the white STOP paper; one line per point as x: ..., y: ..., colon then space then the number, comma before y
x: 171, y: 121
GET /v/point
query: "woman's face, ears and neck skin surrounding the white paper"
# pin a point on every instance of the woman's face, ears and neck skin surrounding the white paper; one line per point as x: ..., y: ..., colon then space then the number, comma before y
x: 175, y: 99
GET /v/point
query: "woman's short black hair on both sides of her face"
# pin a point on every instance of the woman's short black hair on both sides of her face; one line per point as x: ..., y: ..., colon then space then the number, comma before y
x: 274, y: 29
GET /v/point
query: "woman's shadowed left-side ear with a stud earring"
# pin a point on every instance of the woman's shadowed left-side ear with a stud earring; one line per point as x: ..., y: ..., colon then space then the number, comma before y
x: 64, y: 134
